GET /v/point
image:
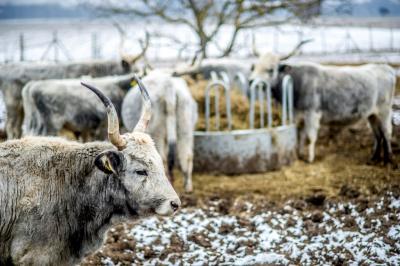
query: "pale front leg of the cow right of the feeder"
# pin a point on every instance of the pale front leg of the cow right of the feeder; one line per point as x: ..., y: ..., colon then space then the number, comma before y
x: 311, y: 127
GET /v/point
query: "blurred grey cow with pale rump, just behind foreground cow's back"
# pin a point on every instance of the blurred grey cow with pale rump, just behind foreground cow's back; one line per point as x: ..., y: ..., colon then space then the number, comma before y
x: 52, y: 105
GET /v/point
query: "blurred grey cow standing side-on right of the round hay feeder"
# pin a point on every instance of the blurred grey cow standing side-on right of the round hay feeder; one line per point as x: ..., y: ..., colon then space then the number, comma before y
x: 331, y: 94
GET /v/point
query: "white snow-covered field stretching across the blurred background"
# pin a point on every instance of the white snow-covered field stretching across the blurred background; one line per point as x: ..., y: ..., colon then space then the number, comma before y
x: 76, y: 37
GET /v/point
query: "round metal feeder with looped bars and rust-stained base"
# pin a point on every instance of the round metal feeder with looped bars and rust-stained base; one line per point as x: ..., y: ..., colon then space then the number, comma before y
x: 249, y: 150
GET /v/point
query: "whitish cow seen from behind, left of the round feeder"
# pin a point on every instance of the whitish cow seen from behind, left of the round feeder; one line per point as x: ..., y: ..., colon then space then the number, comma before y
x: 173, y: 123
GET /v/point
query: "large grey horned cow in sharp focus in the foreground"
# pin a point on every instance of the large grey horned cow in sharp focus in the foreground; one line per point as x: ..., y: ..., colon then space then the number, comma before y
x: 58, y: 197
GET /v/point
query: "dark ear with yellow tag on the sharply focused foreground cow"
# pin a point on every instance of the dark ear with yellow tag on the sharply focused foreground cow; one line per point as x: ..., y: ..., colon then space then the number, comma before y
x: 110, y: 162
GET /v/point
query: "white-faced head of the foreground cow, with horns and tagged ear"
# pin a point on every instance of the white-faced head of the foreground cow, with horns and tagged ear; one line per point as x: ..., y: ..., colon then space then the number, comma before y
x: 137, y: 163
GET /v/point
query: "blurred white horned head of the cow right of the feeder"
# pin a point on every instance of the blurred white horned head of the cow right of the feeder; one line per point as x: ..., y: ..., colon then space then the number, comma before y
x: 269, y: 64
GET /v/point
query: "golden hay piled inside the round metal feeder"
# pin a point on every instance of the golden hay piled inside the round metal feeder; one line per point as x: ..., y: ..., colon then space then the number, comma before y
x: 240, y: 108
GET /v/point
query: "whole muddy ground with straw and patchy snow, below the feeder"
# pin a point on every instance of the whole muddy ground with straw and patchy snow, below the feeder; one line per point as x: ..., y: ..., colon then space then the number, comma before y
x: 337, y: 210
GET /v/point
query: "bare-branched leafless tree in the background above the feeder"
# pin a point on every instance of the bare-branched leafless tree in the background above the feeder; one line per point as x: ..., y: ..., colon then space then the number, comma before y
x: 206, y: 17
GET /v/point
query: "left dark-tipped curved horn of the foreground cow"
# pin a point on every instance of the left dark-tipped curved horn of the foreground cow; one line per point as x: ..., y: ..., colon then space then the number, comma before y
x: 113, y: 123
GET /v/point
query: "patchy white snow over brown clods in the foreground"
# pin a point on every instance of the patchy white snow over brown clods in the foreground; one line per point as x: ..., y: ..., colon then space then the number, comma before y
x: 355, y: 233
